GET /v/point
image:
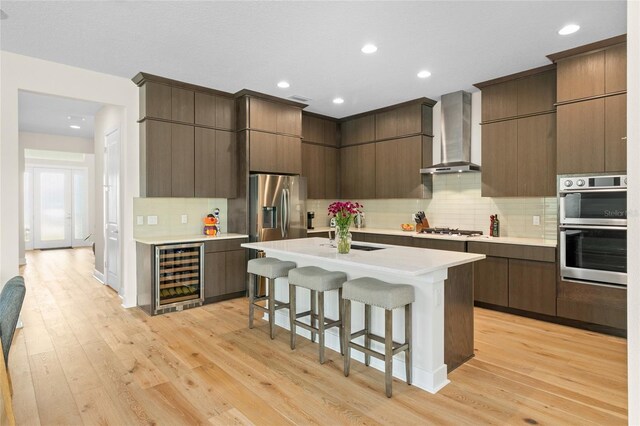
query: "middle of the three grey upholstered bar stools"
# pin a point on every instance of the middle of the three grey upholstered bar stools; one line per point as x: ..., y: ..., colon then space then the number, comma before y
x: 317, y: 280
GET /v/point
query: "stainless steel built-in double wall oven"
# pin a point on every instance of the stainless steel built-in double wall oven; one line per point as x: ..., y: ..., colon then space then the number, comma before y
x: 593, y: 229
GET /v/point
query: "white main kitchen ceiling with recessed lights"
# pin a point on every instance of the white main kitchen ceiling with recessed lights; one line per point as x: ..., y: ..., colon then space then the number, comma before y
x: 313, y: 45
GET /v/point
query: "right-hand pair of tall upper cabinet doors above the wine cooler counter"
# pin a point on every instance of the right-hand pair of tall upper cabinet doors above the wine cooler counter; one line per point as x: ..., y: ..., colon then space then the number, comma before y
x: 215, y: 157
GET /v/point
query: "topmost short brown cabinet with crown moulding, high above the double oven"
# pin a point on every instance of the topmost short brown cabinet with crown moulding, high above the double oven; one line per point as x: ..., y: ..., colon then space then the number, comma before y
x: 592, y: 70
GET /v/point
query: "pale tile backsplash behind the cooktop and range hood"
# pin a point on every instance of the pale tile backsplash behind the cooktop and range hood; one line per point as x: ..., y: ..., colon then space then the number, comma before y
x: 457, y: 203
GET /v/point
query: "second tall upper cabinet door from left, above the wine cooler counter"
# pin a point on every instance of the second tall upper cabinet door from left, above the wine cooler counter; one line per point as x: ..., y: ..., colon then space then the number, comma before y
x: 182, y: 160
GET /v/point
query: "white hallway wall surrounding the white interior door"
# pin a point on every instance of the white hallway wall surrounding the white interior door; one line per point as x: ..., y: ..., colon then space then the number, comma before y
x: 107, y: 119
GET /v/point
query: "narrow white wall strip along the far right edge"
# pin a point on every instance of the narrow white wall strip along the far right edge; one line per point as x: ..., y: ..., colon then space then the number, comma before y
x: 633, y: 153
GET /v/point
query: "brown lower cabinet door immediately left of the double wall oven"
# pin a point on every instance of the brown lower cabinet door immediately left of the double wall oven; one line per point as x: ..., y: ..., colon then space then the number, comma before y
x: 532, y: 286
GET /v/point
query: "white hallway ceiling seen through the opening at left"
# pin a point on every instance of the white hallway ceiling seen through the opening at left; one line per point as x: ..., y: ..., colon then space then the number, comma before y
x: 48, y: 114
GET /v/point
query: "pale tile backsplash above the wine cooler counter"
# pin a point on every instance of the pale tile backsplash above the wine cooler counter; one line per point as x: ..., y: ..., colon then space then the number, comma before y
x: 169, y: 212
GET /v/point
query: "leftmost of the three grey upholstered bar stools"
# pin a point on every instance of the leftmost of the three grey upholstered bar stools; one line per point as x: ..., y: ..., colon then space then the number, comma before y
x: 270, y: 268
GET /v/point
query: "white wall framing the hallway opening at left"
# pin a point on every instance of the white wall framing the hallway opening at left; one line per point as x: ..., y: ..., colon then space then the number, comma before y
x: 20, y: 72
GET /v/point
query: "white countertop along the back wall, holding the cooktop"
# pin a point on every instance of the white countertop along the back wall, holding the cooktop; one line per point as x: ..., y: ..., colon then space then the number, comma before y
x: 482, y: 238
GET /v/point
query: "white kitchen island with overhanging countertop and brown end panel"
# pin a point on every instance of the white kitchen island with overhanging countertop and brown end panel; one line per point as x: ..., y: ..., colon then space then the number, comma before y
x: 442, y: 312
